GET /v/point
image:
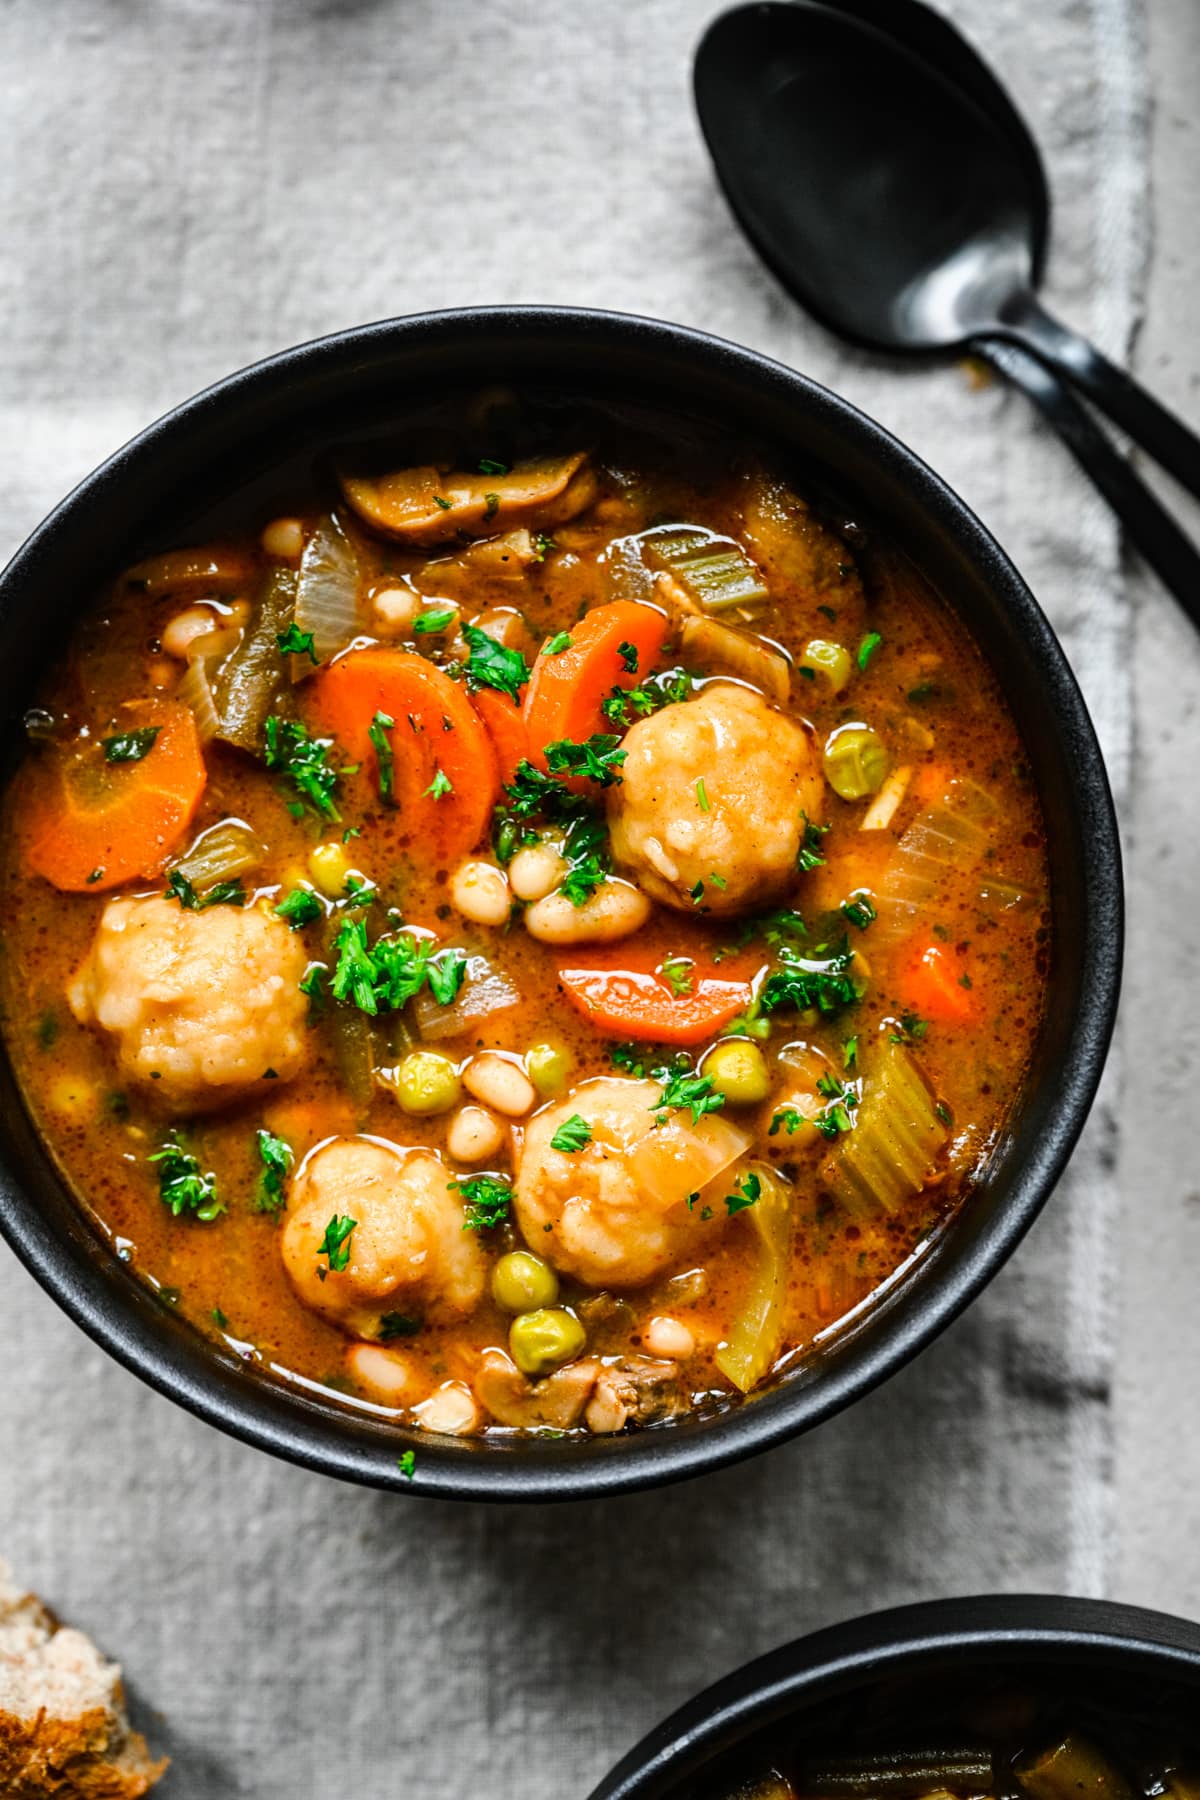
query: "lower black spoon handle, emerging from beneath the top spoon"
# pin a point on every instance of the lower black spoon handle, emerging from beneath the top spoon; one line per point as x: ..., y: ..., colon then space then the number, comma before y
x: 1147, y: 523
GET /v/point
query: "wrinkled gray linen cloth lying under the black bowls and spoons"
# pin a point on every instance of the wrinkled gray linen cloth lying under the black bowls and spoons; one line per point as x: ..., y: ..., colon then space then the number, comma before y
x: 188, y: 186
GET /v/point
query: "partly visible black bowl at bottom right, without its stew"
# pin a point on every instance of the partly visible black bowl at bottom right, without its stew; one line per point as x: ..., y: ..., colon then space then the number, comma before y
x: 1149, y: 1657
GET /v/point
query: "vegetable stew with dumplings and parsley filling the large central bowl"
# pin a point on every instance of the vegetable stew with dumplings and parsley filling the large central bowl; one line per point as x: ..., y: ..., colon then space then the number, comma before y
x: 532, y: 930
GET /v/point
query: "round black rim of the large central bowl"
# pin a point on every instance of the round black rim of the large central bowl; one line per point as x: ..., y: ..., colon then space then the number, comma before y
x: 287, y: 1423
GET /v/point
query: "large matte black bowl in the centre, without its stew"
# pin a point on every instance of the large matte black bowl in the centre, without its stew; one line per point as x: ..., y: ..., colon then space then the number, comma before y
x: 305, y: 399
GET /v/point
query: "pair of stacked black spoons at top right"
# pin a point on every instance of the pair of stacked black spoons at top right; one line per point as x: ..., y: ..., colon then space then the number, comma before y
x: 843, y: 152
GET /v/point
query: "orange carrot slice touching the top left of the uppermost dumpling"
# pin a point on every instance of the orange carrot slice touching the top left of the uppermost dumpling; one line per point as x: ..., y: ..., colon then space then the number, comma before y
x: 566, y: 692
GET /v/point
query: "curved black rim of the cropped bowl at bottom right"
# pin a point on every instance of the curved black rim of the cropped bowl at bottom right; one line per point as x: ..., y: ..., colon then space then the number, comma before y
x: 974, y: 1628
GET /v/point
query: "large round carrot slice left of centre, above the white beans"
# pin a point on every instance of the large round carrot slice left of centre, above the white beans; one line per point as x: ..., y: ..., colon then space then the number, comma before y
x: 434, y: 732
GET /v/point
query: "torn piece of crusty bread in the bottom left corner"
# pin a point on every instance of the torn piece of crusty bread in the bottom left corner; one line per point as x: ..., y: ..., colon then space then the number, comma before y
x: 64, y: 1725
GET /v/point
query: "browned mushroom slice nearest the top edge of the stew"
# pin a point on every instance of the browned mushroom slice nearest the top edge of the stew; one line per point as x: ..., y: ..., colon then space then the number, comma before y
x: 429, y: 505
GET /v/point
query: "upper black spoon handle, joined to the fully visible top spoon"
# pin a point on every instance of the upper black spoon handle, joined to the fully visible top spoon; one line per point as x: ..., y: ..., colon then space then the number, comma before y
x: 1116, y: 393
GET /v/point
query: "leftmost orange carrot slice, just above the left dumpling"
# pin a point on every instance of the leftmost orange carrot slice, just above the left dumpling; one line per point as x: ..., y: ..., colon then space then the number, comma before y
x: 93, y: 825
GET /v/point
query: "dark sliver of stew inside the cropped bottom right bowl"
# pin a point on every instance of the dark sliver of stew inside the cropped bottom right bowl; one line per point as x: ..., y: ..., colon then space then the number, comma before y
x: 998, y: 1736
